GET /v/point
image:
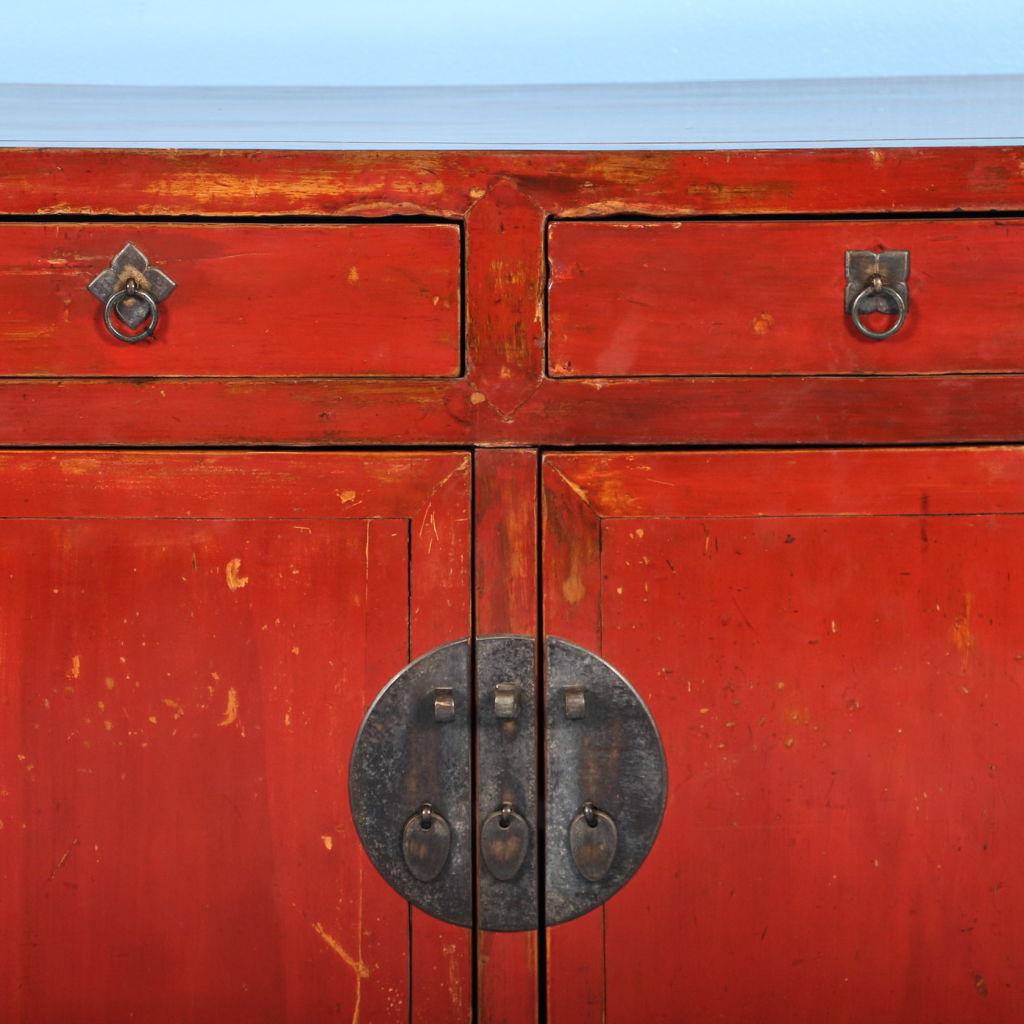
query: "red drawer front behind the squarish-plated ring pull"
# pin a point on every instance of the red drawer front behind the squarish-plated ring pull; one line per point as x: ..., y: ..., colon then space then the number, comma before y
x: 767, y: 297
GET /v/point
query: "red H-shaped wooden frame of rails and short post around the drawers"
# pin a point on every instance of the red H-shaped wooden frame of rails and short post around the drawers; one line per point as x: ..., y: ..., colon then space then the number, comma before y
x: 506, y: 201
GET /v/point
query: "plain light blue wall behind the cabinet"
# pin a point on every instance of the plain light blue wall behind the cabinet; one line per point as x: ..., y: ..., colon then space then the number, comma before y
x: 416, y: 42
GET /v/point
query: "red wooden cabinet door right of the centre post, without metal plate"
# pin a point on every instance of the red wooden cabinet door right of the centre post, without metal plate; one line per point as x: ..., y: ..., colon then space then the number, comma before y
x: 833, y: 647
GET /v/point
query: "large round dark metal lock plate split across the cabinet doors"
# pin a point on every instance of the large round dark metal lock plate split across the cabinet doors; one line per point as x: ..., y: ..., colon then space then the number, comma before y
x: 410, y: 783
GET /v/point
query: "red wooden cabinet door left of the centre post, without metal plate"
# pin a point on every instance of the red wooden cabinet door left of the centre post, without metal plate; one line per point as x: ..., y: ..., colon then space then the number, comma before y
x: 189, y: 644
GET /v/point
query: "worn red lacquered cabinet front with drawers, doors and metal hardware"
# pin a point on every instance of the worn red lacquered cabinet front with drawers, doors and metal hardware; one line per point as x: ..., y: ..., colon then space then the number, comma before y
x: 511, y: 587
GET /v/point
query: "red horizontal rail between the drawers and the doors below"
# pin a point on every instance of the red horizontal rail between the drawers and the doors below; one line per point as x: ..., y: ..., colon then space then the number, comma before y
x: 639, y: 412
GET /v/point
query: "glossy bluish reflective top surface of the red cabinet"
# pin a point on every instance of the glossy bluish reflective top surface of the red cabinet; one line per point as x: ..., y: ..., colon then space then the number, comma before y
x: 971, y: 110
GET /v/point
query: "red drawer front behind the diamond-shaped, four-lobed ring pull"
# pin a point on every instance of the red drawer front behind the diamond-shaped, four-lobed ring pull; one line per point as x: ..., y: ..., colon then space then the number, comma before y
x: 252, y: 301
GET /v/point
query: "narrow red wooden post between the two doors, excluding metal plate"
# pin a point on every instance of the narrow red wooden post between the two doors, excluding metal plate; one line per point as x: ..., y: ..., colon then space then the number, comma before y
x: 506, y: 584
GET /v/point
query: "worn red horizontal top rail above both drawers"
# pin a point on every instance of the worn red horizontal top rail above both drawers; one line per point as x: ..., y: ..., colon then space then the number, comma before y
x: 168, y: 183
